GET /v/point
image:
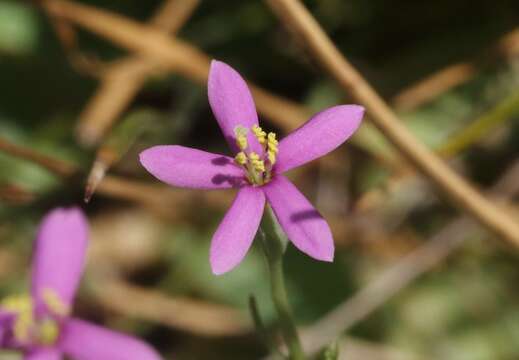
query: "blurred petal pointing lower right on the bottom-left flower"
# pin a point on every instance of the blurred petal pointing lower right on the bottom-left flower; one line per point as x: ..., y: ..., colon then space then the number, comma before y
x: 85, y: 341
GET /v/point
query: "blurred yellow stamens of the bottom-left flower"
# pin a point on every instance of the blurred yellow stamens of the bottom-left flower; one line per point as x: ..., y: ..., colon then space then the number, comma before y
x: 27, y: 329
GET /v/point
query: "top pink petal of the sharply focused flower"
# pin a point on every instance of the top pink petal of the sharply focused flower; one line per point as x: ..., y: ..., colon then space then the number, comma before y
x: 232, y: 103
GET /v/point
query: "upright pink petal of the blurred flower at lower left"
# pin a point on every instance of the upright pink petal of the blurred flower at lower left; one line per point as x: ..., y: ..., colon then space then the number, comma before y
x: 59, y: 254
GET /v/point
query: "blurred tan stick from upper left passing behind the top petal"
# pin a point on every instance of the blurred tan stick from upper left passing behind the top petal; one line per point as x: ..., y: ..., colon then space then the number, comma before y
x: 175, y: 55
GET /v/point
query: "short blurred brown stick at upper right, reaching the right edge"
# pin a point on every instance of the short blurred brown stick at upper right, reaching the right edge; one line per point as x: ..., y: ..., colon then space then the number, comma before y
x: 454, y: 75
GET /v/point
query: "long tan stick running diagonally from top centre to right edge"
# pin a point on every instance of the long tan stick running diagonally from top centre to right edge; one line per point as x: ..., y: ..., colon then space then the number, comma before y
x: 293, y: 13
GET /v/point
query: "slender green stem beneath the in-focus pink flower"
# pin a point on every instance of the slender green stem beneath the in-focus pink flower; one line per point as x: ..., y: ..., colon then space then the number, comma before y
x: 274, y: 243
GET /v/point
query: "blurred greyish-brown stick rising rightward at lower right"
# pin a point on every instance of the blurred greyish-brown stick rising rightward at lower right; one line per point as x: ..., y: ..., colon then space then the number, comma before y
x: 405, y: 271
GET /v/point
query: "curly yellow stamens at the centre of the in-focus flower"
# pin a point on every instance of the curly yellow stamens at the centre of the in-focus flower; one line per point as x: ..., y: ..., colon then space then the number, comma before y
x: 258, y: 170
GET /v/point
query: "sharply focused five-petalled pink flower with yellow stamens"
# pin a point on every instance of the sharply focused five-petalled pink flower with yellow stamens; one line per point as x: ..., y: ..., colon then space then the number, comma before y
x: 256, y: 170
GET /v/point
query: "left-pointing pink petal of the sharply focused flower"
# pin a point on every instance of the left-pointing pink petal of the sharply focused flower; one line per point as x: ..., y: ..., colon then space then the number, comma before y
x: 191, y: 168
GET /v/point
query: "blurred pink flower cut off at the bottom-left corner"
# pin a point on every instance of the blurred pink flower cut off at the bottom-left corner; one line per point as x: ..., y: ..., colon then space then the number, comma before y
x: 40, y: 325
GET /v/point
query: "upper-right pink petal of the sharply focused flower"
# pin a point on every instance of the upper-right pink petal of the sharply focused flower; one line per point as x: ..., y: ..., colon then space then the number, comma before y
x: 321, y: 134
